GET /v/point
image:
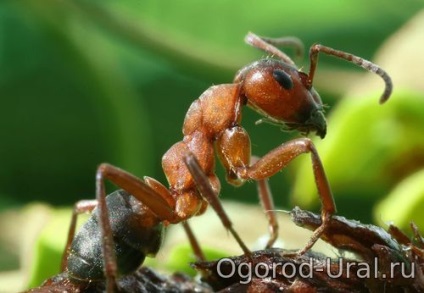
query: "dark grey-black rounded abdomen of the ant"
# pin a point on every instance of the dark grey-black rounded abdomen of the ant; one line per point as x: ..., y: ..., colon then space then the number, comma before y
x: 137, y: 233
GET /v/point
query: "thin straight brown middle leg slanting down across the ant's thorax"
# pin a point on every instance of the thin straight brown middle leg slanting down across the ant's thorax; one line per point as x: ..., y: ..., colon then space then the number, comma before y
x: 206, y: 191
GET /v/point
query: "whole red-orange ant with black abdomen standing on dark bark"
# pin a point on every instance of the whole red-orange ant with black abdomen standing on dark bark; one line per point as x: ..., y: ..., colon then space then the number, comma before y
x: 273, y: 87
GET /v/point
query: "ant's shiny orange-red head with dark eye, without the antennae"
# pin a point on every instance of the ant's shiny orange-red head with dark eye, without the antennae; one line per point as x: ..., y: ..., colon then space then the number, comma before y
x: 283, y: 95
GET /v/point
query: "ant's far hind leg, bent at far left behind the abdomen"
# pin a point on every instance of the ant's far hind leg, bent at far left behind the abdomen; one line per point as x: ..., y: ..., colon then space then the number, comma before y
x: 82, y: 206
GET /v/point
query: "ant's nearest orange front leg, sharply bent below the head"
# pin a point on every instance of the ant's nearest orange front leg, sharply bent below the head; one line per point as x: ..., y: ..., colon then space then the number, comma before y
x: 279, y: 158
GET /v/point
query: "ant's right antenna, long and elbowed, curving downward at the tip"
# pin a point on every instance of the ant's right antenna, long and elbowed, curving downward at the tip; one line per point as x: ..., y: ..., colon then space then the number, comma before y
x: 367, y: 65
